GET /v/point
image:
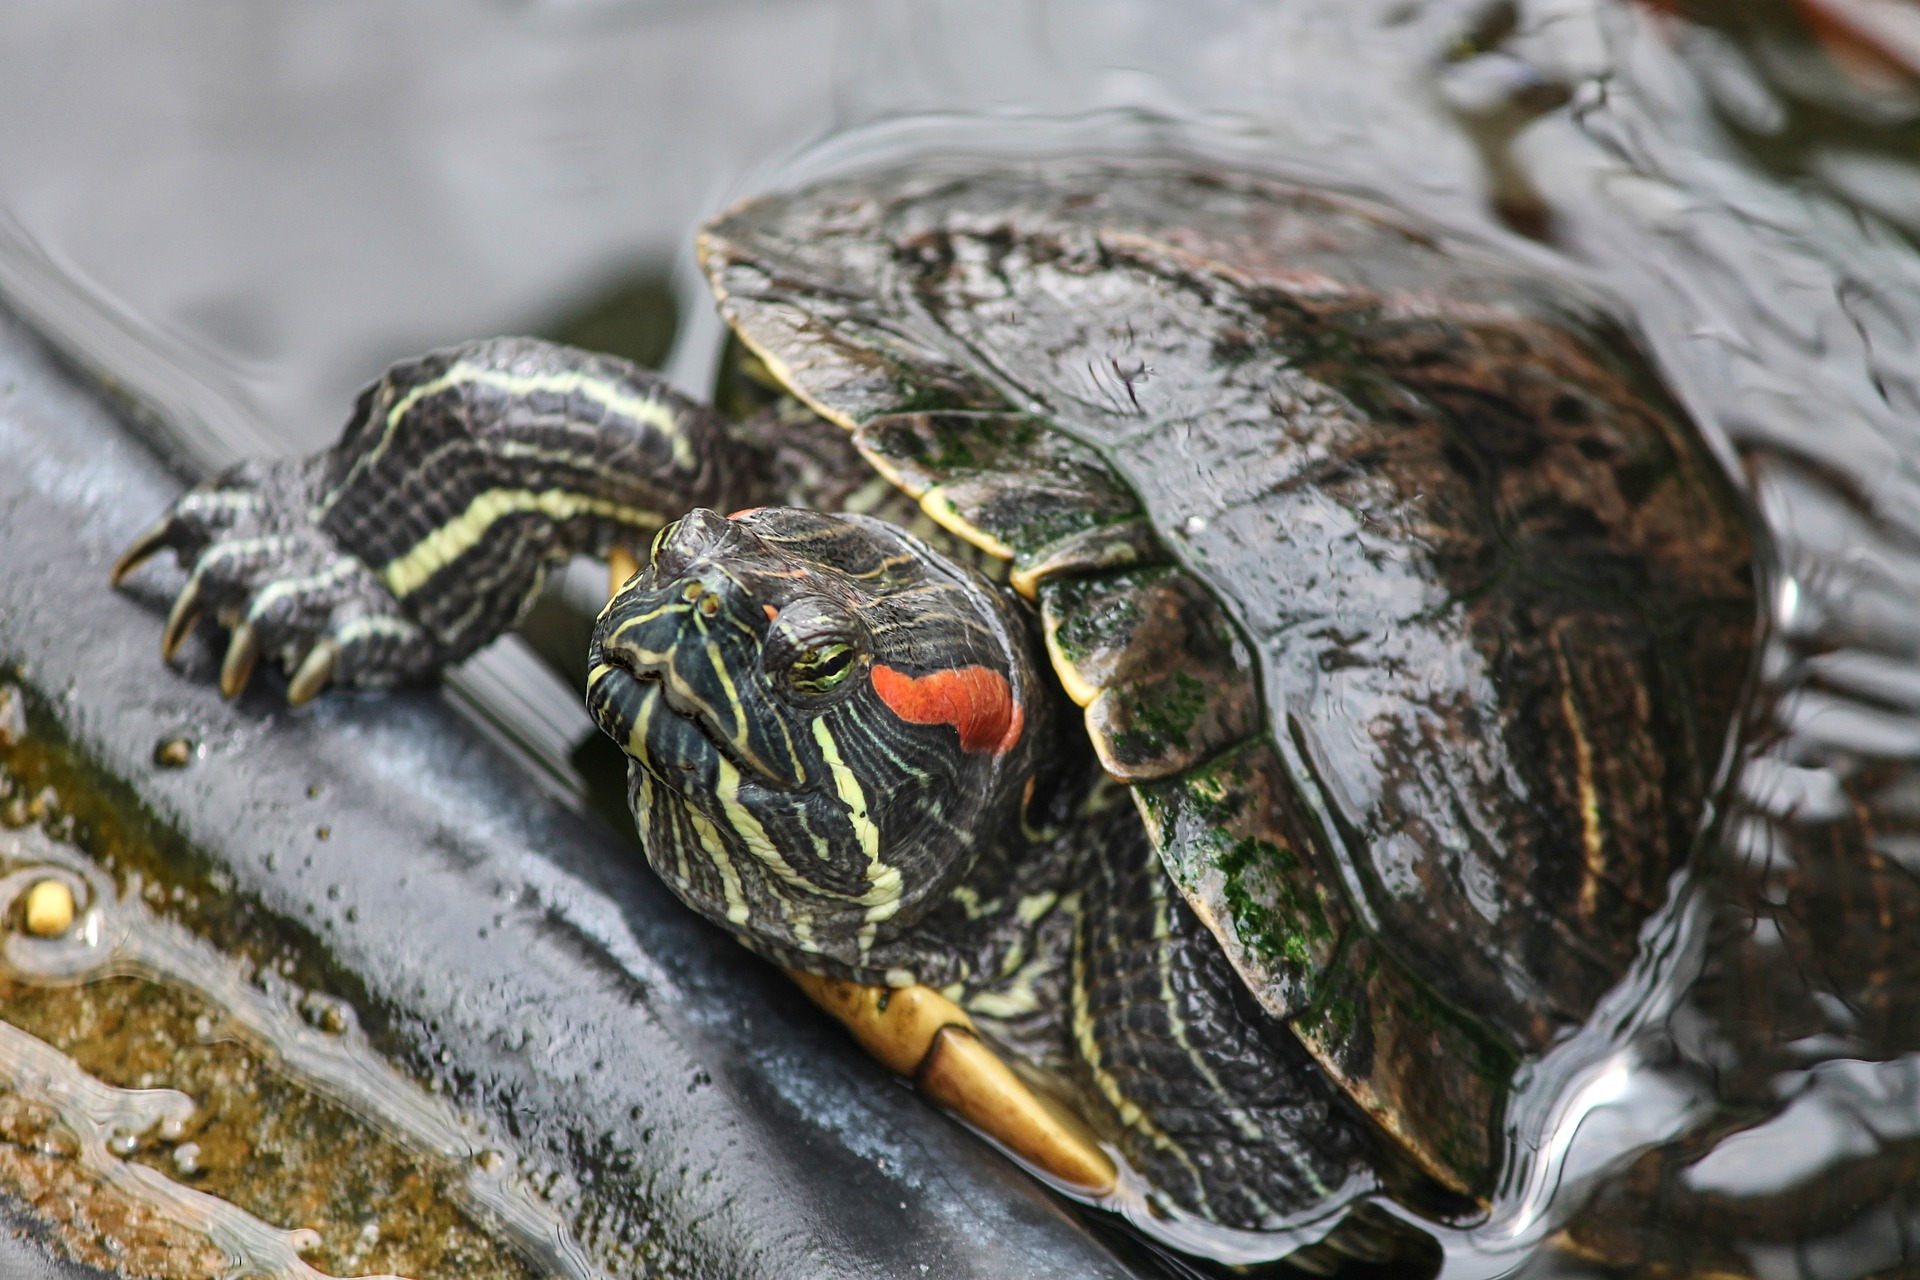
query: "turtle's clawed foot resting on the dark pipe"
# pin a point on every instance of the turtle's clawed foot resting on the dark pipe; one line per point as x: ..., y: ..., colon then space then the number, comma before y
x: 260, y: 565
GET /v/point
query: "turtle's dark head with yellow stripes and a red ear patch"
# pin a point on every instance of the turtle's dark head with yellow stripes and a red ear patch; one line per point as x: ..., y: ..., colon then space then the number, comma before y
x: 827, y: 723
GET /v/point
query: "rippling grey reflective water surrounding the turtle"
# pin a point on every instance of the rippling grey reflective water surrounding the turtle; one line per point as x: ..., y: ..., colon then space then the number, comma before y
x: 245, y: 216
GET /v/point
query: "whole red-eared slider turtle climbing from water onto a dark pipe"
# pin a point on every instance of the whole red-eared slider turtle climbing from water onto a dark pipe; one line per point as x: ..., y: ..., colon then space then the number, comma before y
x: 1378, y: 569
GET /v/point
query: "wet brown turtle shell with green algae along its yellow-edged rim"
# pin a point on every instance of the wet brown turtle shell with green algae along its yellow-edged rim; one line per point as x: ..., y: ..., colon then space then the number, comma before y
x: 1385, y: 571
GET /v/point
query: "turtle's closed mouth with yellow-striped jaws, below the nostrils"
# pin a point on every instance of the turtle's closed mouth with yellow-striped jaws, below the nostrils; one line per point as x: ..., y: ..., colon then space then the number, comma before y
x: 629, y: 701
